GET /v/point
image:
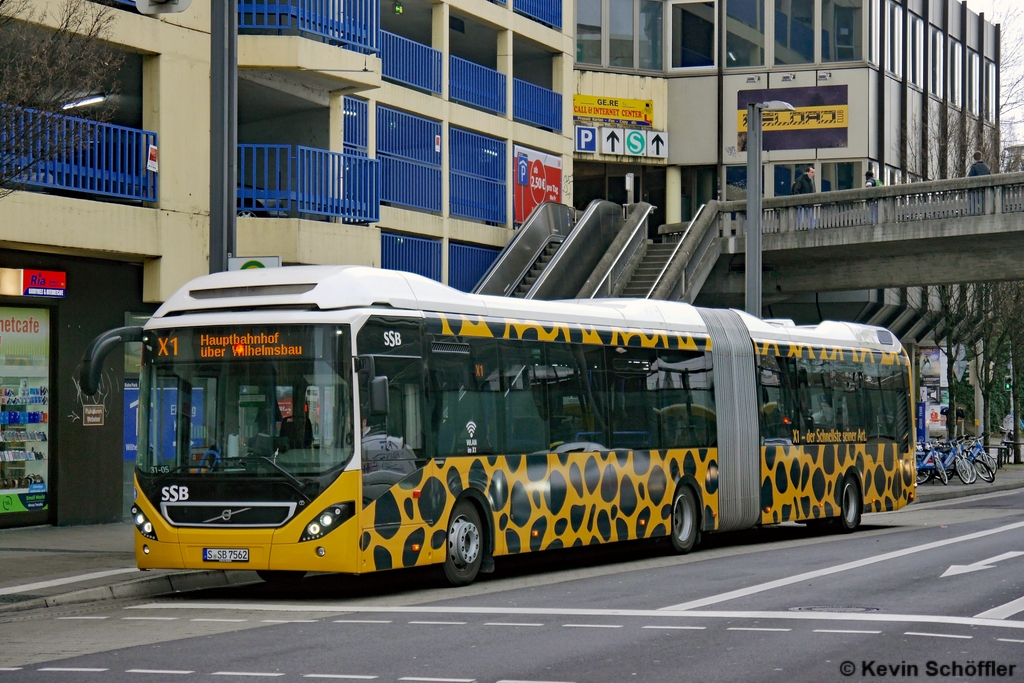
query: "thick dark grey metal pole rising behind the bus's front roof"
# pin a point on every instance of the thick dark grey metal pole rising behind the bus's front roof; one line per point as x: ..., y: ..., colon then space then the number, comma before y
x: 224, y: 130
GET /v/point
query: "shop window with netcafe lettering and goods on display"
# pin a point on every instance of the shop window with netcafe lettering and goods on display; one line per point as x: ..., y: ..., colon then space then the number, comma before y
x: 25, y: 367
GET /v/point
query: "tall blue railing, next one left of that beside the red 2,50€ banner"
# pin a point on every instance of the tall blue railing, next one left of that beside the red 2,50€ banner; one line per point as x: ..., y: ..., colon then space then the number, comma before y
x: 409, y: 150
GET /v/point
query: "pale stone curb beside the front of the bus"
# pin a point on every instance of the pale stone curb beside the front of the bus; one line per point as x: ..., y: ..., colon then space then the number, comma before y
x: 146, y: 587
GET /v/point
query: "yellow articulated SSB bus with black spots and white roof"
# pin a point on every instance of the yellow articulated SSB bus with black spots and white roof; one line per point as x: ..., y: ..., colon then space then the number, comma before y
x: 353, y: 420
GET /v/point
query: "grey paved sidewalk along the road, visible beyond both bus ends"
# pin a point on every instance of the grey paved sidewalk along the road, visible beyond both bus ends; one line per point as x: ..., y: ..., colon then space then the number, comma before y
x: 55, y: 566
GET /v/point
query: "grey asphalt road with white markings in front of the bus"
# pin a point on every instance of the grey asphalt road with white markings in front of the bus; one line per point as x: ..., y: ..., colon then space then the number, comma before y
x: 780, y: 605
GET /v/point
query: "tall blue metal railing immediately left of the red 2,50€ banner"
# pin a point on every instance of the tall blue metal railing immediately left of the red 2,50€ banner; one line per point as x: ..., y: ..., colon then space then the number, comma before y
x: 478, y: 181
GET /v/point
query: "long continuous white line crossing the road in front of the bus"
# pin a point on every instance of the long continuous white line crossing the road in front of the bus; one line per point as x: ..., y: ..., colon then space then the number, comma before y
x: 577, y: 612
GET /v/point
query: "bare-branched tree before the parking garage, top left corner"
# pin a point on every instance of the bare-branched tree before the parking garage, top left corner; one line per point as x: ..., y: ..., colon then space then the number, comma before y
x: 47, y: 64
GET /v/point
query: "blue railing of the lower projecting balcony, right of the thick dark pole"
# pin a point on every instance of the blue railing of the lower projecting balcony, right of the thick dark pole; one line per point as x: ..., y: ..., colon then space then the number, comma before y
x: 282, y: 180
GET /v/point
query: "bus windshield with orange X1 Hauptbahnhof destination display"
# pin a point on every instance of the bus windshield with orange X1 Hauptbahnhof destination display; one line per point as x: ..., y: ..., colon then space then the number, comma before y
x: 255, y: 402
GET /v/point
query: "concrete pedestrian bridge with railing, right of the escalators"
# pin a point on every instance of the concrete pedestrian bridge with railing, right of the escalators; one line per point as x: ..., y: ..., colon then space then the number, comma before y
x: 936, y: 233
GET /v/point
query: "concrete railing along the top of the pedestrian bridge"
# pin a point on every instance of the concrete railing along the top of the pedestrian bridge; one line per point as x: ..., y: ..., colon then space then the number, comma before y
x: 890, y: 205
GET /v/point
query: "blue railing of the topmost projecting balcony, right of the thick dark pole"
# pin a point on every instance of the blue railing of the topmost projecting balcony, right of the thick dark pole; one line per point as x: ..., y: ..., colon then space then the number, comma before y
x: 354, y: 24
